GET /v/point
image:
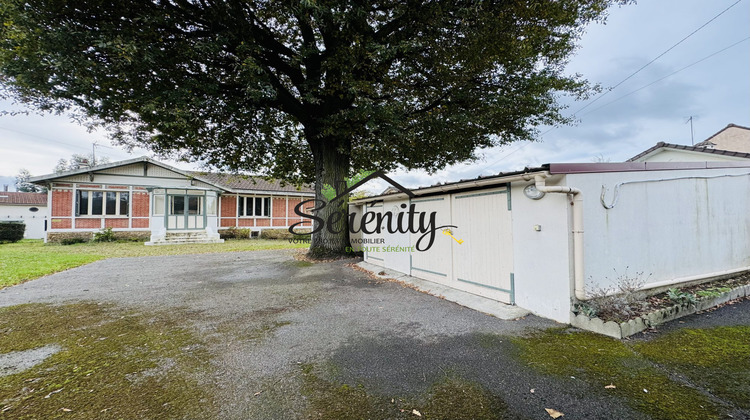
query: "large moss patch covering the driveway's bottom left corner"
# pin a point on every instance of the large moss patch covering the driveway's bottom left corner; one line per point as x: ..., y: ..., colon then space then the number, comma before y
x: 112, y: 364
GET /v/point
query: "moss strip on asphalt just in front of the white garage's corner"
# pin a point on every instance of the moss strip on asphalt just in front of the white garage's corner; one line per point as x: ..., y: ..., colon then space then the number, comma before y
x: 602, y: 361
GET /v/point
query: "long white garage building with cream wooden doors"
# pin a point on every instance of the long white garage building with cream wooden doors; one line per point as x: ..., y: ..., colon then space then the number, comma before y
x: 544, y: 237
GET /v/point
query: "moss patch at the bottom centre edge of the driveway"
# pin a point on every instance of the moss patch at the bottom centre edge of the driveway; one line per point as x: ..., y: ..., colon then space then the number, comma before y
x: 451, y: 398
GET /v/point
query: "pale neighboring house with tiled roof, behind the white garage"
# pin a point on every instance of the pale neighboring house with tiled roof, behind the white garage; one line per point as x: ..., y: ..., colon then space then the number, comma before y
x: 732, y: 143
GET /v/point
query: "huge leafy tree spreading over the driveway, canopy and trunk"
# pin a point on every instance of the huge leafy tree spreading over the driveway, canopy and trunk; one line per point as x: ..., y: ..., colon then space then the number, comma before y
x: 300, y: 90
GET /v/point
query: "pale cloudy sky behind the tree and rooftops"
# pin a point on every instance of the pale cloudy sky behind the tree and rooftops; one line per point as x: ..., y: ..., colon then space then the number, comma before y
x: 715, y: 92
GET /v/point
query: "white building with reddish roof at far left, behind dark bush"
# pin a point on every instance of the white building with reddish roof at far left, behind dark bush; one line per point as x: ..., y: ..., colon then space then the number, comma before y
x: 30, y: 208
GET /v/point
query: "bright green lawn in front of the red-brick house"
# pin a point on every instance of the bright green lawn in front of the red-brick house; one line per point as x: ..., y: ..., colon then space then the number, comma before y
x: 30, y: 259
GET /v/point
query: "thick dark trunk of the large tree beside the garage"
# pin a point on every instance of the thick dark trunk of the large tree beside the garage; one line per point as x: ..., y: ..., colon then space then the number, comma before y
x: 331, y: 227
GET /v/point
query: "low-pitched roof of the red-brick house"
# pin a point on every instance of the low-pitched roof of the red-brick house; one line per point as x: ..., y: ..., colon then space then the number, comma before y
x: 227, y: 182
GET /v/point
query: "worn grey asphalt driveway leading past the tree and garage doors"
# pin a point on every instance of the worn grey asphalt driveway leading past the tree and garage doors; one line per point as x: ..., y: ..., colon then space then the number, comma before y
x: 270, y: 320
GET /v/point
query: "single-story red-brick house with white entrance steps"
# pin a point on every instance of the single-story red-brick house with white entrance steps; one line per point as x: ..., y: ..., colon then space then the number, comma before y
x: 146, y: 199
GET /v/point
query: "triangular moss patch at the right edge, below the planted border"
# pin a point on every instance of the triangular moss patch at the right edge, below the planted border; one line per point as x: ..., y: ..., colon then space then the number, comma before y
x: 718, y: 359
